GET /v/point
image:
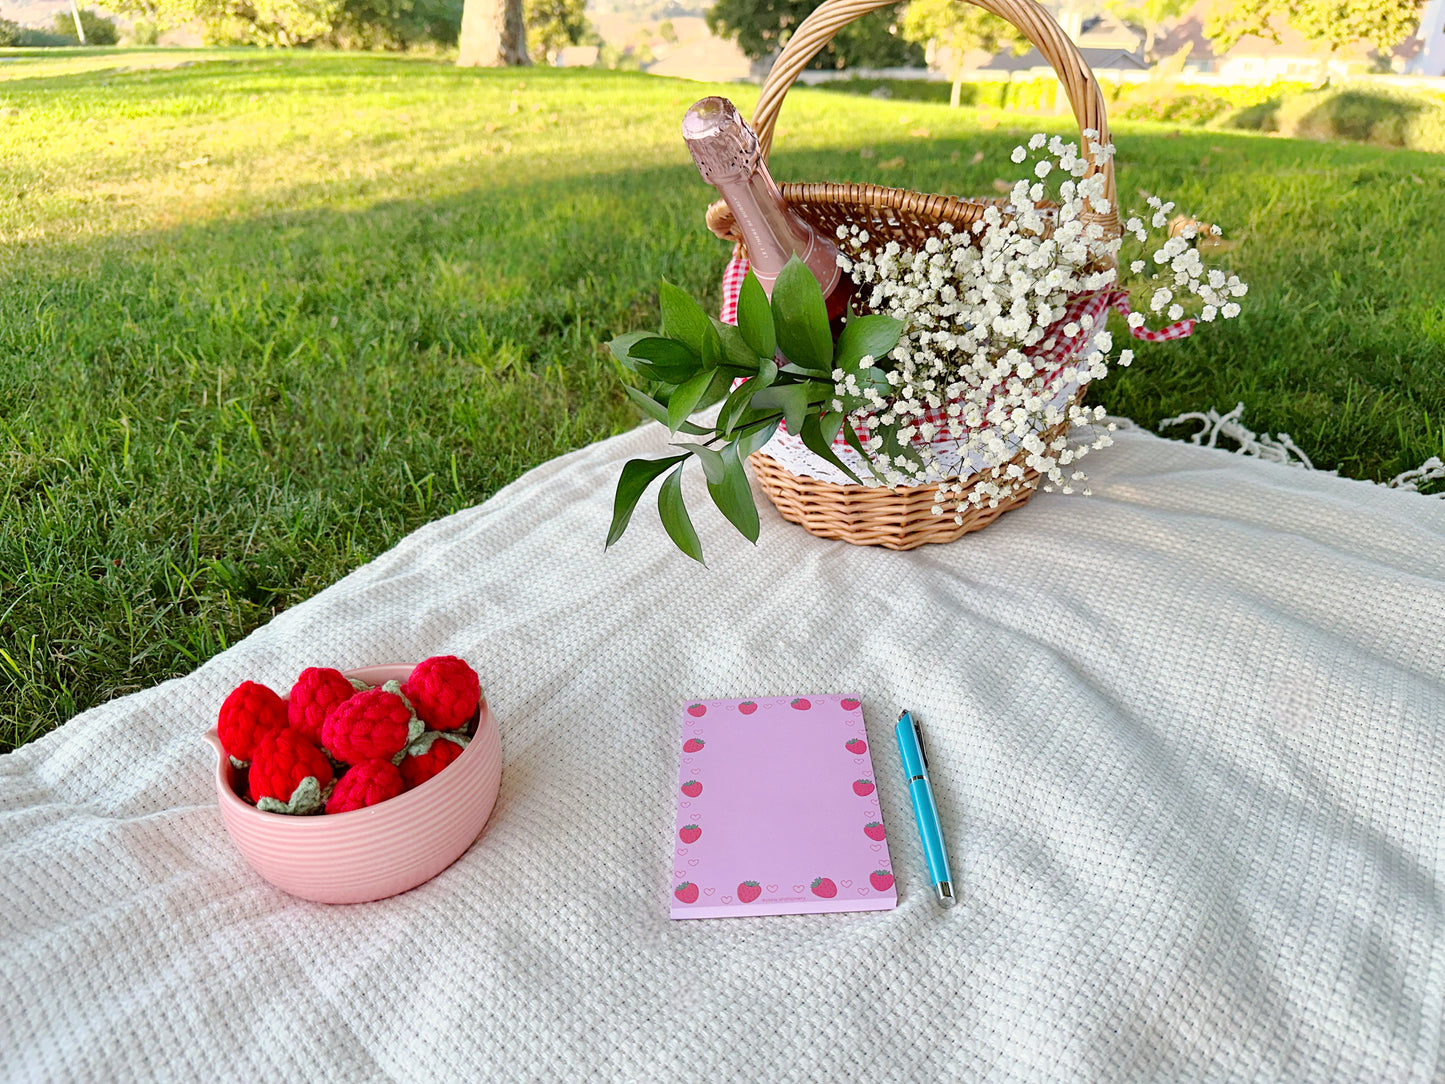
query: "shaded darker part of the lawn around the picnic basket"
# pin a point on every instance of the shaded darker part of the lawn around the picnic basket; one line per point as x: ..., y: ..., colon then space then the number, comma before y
x: 210, y: 424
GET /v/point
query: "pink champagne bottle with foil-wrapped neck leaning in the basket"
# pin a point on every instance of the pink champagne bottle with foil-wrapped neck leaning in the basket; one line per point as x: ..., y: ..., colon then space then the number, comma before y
x: 729, y: 157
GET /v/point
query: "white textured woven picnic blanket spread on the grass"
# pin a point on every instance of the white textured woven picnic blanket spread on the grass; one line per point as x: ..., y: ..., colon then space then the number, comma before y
x: 1187, y: 744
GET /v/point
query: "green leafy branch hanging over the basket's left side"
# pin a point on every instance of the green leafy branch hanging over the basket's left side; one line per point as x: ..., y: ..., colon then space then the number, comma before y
x: 785, y: 355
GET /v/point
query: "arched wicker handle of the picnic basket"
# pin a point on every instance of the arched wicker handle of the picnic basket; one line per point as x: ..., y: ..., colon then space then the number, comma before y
x: 1027, y: 15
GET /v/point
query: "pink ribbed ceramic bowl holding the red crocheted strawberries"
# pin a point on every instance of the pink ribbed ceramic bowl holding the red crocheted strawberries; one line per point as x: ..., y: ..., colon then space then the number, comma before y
x: 384, y: 849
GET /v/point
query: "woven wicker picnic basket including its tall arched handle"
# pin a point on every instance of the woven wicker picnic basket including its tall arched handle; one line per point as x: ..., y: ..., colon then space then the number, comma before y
x: 865, y: 515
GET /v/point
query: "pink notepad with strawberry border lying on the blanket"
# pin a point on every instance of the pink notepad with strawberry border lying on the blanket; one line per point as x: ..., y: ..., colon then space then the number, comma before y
x: 778, y: 812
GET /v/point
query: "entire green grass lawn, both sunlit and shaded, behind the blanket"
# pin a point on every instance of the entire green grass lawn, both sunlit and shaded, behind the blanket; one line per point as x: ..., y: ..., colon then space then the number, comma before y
x: 265, y: 314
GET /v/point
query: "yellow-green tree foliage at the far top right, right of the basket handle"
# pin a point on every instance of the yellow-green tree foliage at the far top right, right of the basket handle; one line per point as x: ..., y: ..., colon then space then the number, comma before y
x: 1336, y: 24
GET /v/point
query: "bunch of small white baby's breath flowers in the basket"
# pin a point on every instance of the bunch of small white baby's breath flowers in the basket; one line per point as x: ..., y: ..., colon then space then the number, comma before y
x: 982, y: 310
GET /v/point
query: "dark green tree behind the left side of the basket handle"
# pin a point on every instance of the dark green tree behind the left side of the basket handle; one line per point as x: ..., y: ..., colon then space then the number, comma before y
x: 764, y: 27
